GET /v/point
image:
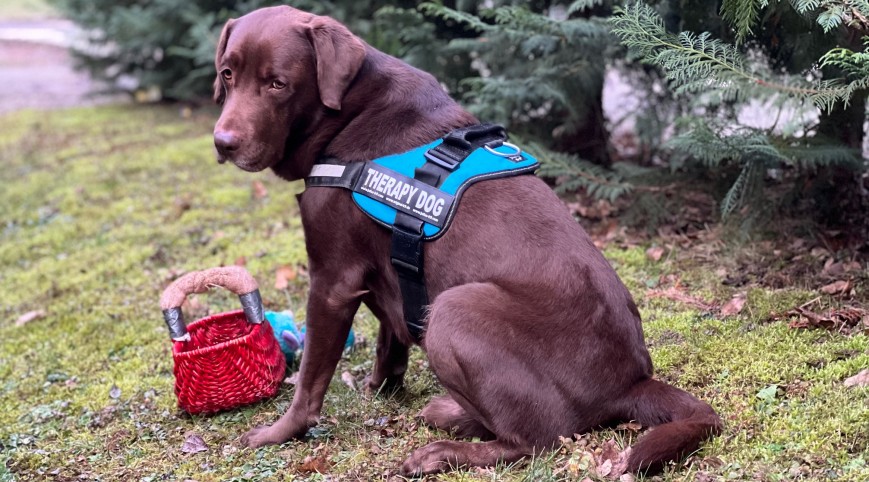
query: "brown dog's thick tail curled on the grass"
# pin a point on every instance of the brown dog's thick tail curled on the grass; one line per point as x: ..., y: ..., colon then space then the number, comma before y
x: 681, y: 423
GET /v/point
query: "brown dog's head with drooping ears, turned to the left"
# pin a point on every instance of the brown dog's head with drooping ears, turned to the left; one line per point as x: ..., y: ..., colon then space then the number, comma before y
x: 278, y: 69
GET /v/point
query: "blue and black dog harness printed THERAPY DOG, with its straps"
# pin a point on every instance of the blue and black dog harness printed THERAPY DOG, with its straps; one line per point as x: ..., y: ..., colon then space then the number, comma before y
x: 416, y: 194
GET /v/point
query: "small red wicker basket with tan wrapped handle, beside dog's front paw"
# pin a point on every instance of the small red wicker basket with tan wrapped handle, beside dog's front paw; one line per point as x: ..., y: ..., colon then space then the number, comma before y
x: 225, y: 360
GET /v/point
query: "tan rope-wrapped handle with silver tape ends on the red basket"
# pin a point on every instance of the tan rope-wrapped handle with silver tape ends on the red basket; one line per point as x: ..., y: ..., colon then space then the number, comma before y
x: 233, y: 278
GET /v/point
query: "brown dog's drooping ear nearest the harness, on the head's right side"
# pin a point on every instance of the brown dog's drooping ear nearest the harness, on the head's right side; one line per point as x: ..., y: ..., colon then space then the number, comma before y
x: 339, y: 56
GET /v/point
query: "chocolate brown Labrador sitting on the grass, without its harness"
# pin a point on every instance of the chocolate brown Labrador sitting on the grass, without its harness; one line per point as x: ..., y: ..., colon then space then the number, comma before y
x: 530, y: 330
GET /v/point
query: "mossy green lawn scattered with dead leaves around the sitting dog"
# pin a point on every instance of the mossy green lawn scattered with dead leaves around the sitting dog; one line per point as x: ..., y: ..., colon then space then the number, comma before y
x: 101, y: 207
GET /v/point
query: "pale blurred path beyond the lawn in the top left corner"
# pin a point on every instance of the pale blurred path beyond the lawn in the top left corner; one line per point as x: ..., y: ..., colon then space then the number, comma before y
x: 37, y: 70
